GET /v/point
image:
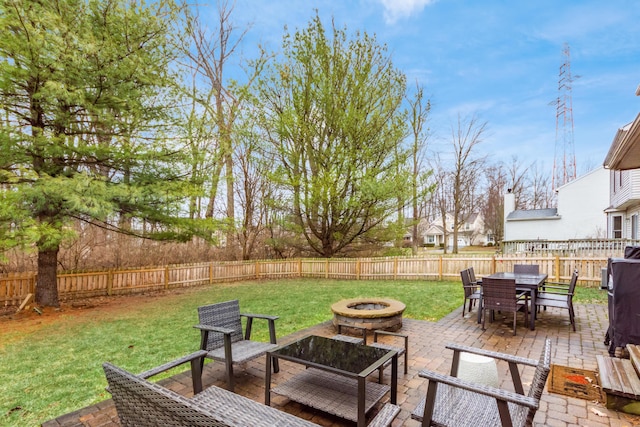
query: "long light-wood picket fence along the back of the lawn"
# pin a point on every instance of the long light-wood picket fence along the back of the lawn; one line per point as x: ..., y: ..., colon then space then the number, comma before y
x: 15, y: 287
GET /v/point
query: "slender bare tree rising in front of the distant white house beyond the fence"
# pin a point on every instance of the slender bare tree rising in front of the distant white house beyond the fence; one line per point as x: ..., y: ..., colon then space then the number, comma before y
x: 466, y: 135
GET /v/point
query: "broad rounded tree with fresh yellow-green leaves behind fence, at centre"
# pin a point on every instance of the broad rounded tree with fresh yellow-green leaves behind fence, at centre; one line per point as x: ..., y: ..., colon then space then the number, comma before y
x: 331, y: 109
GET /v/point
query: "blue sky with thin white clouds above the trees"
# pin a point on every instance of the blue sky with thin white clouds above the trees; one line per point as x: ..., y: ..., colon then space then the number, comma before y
x: 498, y: 59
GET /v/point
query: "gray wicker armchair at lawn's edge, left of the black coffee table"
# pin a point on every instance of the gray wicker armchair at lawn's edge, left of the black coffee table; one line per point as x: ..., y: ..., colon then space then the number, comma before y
x: 221, y: 336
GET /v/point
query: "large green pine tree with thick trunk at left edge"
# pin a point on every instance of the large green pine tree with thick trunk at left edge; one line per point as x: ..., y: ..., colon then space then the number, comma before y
x: 84, y: 98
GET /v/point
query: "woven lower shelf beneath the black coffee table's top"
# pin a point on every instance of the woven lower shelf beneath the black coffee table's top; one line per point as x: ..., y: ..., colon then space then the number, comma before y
x: 331, y: 393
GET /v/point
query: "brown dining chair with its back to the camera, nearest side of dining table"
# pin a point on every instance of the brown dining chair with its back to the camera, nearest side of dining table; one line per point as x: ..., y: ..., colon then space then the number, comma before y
x: 501, y: 294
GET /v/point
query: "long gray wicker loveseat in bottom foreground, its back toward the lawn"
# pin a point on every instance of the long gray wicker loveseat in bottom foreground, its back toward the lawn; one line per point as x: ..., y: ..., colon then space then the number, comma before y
x: 140, y: 403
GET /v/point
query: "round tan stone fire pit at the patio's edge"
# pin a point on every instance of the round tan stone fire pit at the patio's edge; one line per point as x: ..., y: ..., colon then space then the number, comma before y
x: 369, y: 313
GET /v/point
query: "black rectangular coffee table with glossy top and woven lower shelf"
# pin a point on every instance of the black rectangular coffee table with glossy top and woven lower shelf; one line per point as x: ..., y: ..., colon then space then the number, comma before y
x: 336, y: 379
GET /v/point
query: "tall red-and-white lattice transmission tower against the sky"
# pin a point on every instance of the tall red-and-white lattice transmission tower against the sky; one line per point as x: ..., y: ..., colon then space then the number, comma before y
x: 564, y: 161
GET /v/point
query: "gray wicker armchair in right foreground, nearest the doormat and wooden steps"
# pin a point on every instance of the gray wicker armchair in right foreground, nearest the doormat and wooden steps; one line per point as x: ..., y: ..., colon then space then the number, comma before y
x: 451, y: 401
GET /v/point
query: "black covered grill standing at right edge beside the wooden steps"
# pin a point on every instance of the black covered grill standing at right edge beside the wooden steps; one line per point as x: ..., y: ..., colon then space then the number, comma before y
x: 624, y: 303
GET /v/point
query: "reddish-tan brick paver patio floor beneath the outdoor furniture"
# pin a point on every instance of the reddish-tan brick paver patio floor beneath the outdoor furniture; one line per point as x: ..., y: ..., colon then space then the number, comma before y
x: 427, y: 342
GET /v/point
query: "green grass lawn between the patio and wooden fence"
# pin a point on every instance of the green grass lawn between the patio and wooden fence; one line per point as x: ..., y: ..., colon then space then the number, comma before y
x: 51, y: 365
